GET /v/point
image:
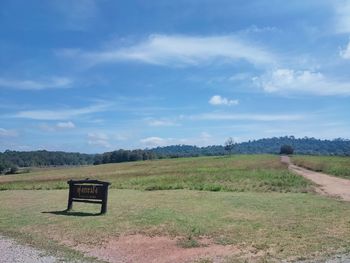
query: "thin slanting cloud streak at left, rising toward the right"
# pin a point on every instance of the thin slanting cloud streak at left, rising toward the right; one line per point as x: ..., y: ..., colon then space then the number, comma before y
x: 60, y: 114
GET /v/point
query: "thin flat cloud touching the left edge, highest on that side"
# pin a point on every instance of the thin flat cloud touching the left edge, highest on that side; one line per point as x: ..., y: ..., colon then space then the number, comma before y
x: 51, y: 83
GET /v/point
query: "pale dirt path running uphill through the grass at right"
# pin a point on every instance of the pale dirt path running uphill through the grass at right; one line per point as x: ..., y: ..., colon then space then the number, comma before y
x: 327, y: 184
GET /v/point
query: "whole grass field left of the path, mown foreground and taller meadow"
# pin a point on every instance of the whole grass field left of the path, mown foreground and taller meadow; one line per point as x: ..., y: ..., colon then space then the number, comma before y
x: 253, y: 203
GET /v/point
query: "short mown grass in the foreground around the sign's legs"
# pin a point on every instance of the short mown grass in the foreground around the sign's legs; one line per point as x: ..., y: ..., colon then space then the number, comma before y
x: 287, y: 225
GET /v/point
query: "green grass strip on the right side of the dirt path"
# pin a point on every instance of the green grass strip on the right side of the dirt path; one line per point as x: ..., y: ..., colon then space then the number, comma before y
x: 334, y: 165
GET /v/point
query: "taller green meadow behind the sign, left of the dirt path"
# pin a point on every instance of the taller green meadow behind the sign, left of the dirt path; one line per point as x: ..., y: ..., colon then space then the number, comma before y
x: 258, y: 173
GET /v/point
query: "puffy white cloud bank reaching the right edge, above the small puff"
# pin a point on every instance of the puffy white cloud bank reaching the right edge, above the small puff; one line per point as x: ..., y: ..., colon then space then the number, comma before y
x: 287, y: 81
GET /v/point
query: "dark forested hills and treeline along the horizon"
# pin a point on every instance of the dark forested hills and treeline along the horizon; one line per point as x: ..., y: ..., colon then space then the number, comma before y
x: 271, y: 145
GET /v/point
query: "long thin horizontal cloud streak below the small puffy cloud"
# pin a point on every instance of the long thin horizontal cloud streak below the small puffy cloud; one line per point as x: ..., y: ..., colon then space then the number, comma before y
x: 246, y: 117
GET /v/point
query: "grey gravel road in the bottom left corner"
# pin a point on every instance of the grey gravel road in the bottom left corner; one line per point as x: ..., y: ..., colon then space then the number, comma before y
x: 11, y: 252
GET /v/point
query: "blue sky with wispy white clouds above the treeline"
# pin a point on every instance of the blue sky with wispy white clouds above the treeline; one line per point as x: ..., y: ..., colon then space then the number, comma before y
x: 98, y: 75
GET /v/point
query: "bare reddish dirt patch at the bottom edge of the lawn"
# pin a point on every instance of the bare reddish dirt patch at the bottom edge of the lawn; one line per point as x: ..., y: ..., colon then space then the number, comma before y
x: 140, y: 248
